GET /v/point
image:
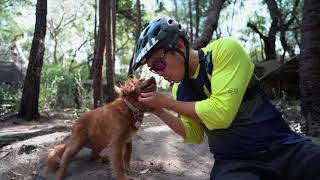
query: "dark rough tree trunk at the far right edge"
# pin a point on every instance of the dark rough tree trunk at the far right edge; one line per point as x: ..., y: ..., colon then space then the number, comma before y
x: 310, y: 66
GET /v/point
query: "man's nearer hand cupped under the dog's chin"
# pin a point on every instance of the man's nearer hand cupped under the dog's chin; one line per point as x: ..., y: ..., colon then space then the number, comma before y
x: 154, y: 100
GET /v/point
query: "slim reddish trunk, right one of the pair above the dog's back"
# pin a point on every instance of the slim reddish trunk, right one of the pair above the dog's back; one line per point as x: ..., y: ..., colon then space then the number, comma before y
x: 110, y: 56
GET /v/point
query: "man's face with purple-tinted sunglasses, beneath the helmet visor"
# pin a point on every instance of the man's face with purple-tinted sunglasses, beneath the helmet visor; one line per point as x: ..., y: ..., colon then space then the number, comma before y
x: 167, y: 64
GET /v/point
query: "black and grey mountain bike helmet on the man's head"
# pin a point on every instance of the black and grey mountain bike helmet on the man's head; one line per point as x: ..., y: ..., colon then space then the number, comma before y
x: 160, y: 33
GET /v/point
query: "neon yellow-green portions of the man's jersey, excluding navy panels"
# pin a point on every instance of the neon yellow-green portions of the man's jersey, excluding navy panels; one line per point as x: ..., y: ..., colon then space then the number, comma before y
x: 229, y: 70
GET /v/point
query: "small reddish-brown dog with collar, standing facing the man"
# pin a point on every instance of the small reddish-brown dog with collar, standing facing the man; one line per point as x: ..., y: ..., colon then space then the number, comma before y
x: 112, y: 125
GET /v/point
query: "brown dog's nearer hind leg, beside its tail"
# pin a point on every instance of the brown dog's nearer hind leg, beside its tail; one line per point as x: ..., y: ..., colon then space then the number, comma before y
x: 73, y: 147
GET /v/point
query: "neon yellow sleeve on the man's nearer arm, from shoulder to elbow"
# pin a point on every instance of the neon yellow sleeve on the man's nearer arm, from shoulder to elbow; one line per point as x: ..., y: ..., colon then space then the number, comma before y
x: 232, y: 71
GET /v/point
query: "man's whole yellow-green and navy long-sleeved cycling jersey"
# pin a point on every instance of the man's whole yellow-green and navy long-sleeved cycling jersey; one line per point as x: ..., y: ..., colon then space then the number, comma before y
x: 237, y: 116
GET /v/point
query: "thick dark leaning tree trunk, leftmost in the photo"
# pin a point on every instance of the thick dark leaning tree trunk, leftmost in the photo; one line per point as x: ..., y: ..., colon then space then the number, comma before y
x: 31, y: 88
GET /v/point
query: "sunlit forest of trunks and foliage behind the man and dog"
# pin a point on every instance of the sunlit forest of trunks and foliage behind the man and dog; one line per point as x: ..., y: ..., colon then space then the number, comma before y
x: 68, y: 54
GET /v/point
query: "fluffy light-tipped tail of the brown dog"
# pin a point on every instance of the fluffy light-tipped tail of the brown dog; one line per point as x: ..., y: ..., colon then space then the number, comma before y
x: 54, y: 157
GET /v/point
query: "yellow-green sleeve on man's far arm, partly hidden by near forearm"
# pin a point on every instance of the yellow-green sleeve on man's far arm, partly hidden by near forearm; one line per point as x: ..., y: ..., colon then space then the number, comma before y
x: 194, y: 131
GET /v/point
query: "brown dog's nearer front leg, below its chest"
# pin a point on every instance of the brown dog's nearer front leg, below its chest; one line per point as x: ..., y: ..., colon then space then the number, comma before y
x: 117, y: 160
